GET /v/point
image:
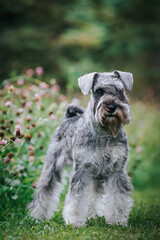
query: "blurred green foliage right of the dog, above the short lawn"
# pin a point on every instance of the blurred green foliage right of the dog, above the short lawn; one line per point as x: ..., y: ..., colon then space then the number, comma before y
x: 144, y: 138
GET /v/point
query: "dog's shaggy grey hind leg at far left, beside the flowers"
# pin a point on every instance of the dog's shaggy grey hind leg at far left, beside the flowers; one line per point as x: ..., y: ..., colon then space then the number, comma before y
x: 50, y: 186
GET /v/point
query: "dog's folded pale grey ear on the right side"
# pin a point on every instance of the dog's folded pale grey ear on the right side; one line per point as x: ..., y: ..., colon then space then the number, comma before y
x: 126, y: 78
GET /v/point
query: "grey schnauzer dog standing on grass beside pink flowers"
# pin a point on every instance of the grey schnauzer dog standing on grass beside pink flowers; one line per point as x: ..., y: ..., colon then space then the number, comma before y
x: 93, y: 141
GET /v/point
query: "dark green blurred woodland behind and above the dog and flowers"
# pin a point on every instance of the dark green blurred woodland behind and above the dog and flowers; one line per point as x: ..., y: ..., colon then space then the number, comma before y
x: 70, y: 38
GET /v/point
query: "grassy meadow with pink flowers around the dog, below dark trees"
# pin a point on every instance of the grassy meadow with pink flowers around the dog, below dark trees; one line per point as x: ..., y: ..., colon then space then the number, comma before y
x: 23, y: 152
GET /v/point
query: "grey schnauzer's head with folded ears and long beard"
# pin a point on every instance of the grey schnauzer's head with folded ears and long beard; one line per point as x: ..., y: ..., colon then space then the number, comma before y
x: 111, y: 109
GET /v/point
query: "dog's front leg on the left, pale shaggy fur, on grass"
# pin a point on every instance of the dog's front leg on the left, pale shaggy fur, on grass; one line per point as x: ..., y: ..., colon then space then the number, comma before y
x: 77, y: 200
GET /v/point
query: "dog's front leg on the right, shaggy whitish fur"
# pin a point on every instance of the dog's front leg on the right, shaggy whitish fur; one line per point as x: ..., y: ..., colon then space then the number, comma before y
x: 117, y: 201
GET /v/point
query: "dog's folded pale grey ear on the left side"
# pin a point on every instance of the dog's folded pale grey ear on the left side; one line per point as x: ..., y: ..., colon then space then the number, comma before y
x: 86, y: 82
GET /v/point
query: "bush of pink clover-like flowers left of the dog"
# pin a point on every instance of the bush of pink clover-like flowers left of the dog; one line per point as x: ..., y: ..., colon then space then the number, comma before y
x: 29, y: 113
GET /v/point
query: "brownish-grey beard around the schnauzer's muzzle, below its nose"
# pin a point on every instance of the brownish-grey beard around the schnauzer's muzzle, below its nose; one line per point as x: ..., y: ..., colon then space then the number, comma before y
x: 111, y: 123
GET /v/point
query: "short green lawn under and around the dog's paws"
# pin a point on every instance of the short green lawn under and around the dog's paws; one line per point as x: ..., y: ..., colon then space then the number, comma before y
x: 143, y: 224
